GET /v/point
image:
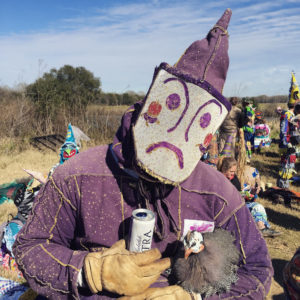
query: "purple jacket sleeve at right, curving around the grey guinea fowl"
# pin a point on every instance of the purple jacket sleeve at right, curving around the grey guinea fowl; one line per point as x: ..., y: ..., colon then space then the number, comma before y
x: 255, y: 269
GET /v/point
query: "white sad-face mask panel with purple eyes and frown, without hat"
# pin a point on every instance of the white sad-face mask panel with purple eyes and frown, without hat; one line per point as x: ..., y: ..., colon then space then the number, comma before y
x: 175, y: 126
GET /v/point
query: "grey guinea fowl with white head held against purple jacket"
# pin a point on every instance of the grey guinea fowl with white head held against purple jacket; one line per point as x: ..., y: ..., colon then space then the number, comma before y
x: 210, y: 263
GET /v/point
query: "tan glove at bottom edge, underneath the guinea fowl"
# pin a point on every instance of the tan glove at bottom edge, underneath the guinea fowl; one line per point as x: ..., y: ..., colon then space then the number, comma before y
x: 172, y: 292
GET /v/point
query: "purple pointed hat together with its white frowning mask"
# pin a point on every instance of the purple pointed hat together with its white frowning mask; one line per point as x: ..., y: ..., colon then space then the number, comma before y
x: 183, y: 108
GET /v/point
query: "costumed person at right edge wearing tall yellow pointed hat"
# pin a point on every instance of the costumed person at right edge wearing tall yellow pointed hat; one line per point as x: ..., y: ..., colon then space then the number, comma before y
x: 289, y: 136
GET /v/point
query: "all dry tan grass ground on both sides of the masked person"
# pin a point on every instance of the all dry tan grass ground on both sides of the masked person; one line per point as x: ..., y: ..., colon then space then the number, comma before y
x: 286, y: 220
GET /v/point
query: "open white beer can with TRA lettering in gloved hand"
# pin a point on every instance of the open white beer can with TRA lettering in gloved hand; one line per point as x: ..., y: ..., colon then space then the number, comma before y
x: 142, y: 226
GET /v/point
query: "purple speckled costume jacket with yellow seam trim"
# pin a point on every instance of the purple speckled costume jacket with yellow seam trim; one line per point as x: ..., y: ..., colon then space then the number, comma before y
x: 87, y: 205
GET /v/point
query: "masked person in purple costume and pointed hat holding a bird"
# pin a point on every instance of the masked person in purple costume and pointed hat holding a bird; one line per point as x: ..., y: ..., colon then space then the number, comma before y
x: 72, y: 245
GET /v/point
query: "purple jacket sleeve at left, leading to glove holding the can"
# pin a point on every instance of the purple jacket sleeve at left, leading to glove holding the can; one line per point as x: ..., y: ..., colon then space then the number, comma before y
x: 43, y: 246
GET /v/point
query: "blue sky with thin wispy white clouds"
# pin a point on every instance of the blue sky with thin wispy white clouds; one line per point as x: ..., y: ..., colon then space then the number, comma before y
x: 123, y: 41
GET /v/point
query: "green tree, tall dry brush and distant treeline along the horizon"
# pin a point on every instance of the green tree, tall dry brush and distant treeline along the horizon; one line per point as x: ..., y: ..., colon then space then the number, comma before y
x: 70, y: 94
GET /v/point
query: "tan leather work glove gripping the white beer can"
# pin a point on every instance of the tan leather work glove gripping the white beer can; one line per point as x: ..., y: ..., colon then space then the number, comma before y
x: 120, y: 271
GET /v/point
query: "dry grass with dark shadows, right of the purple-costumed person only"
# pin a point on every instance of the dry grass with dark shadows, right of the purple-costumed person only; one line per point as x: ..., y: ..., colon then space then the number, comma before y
x: 281, y: 218
